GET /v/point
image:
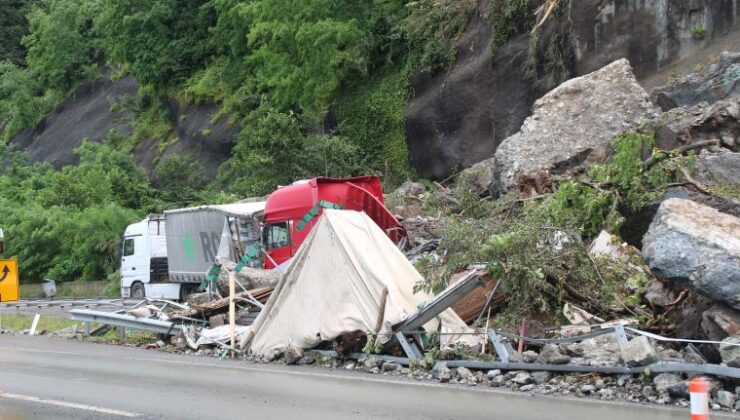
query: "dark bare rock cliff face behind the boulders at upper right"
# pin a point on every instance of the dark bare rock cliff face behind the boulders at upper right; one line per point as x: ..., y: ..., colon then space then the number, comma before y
x: 459, y: 117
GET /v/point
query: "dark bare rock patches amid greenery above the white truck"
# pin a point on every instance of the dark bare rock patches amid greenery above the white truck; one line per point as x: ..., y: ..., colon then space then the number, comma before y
x: 95, y: 110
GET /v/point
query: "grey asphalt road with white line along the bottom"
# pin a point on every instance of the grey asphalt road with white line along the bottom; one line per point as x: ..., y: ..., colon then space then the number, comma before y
x: 51, y: 378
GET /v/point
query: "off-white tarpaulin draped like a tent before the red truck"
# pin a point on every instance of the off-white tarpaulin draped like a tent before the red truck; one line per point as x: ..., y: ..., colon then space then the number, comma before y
x: 335, y: 285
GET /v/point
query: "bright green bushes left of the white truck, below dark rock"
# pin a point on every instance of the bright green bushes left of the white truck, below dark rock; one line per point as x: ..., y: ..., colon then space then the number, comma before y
x: 66, y: 224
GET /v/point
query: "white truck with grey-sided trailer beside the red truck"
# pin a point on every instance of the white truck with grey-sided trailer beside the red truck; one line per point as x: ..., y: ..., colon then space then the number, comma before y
x: 167, y: 256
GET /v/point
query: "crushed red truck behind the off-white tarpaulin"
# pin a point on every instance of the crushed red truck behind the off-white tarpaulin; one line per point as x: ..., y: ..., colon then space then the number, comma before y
x: 283, y: 230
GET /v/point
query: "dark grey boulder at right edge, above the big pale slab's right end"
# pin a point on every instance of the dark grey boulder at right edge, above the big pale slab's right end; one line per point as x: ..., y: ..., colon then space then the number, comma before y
x: 719, y: 81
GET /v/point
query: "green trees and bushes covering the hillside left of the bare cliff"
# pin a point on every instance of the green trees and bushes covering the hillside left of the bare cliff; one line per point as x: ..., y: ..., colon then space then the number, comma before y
x: 317, y: 87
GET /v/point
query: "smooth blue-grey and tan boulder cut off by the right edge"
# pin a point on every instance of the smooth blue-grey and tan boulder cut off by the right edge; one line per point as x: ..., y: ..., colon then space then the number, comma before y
x: 698, y: 247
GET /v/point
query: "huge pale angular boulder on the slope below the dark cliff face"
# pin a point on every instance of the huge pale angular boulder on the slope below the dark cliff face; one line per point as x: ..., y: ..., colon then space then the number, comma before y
x: 572, y: 125
